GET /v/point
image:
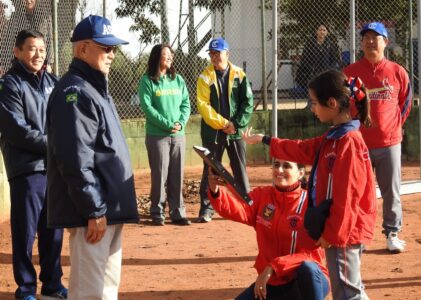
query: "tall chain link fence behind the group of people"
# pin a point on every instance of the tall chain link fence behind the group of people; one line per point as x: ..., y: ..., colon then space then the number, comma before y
x: 312, y: 36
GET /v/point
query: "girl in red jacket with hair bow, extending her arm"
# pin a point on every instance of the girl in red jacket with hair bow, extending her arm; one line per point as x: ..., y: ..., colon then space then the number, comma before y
x: 341, y: 184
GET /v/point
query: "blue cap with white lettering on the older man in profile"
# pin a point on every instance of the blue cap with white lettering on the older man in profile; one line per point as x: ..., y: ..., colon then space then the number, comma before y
x: 98, y: 29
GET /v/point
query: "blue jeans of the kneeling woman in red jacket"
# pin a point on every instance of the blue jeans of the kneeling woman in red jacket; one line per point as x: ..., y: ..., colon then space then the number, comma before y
x: 310, y: 284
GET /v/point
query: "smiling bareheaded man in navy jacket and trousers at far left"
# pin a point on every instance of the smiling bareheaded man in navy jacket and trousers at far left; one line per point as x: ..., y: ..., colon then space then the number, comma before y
x: 24, y: 92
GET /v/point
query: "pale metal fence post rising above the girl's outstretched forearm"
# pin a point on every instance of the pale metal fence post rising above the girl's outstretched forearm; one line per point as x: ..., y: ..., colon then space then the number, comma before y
x: 275, y: 68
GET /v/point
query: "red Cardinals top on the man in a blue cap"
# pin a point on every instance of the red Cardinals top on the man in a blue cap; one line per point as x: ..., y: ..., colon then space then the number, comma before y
x: 389, y: 91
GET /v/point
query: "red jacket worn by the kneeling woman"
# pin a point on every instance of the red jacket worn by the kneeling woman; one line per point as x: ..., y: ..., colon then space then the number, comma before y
x: 278, y: 218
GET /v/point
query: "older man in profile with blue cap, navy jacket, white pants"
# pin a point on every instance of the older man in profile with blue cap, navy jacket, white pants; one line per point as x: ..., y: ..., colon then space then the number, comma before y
x: 90, y: 179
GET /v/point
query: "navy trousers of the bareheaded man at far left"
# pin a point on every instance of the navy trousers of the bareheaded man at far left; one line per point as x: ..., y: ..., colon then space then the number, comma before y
x: 28, y: 218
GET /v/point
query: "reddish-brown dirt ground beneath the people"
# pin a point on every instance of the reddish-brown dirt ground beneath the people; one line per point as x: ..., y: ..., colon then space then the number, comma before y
x: 214, y: 261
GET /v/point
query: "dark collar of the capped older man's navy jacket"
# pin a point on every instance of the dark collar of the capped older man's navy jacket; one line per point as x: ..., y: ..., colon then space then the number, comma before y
x: 96, y: 78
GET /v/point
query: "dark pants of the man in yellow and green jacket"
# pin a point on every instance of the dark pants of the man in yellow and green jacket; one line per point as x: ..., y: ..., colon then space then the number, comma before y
x: 236, y: 150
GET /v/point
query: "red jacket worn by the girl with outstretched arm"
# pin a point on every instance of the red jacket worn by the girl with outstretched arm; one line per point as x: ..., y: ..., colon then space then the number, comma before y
x: 353, y: 211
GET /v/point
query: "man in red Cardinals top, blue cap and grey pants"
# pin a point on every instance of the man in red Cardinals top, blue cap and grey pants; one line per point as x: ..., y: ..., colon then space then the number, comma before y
x: 389, y: 90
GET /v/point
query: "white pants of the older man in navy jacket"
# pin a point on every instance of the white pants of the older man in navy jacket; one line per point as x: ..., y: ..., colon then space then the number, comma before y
x: 95, y: 268
